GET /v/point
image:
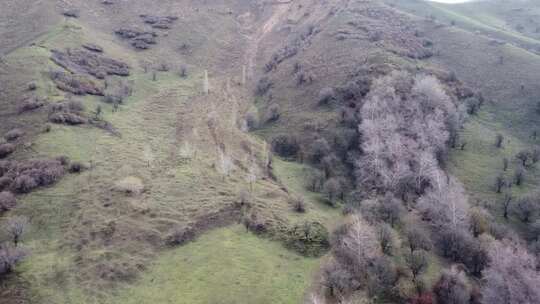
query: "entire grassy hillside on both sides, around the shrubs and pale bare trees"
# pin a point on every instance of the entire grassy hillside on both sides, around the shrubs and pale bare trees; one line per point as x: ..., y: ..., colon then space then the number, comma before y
x: 192, y: 164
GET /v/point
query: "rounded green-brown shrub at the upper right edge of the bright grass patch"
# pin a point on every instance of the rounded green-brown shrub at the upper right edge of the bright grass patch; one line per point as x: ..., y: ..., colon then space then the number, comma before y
x: 309, y: 239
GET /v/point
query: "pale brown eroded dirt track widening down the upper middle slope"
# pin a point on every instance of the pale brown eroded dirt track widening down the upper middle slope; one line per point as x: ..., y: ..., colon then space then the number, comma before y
x: 214, y: 117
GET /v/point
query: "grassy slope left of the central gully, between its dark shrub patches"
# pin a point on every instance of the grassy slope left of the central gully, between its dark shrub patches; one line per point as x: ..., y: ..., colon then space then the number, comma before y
x: 87, y: 239
